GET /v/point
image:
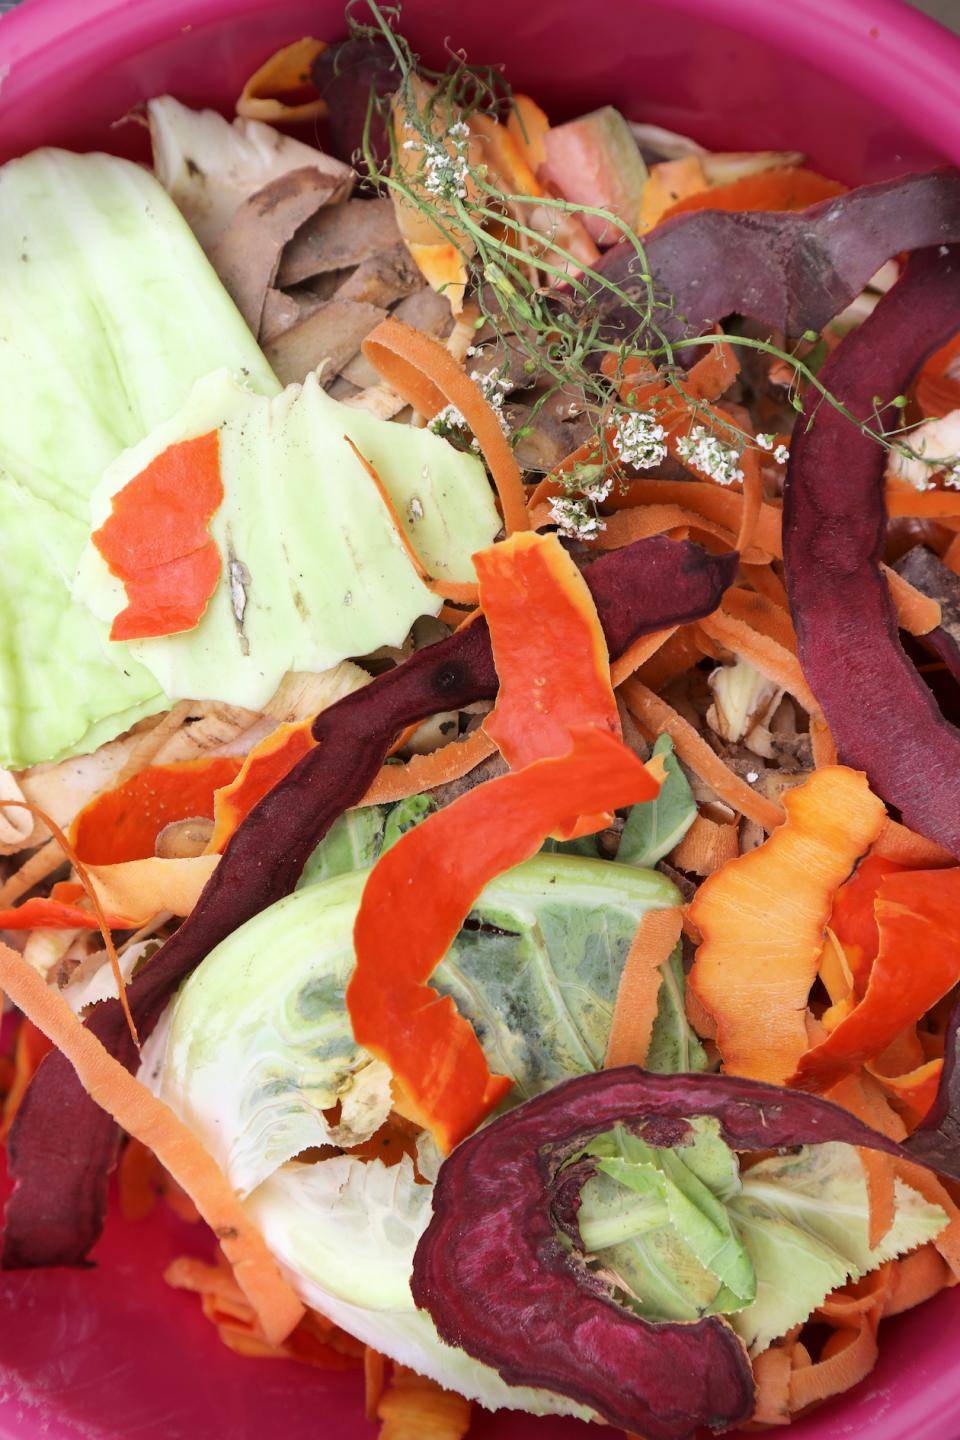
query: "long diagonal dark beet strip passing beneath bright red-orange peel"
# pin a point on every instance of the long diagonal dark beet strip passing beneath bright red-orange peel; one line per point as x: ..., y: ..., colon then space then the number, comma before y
x: 63, y: 1146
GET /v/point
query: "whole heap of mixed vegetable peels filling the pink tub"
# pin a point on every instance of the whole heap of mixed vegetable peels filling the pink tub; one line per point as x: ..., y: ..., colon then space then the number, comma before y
x: 479, y: 755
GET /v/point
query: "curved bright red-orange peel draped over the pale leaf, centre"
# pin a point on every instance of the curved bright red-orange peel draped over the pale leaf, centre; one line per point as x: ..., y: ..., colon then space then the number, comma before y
x: 434, y: 1053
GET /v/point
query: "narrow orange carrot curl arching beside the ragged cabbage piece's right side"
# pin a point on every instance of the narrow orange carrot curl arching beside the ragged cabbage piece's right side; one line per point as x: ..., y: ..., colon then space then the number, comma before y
x: 428, y: 378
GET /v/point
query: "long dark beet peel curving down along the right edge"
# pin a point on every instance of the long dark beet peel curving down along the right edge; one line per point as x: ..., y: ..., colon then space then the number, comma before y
x: 882, y: 715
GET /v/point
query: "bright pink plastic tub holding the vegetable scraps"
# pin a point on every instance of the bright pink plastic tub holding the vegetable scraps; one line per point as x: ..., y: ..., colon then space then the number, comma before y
x: 867, y: 89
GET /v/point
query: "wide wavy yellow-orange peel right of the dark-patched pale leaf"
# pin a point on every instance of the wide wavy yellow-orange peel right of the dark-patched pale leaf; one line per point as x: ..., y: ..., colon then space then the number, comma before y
x: 764, y: 917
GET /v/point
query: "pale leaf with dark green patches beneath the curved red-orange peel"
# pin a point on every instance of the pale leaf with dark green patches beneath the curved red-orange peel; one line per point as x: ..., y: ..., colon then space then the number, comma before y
x: 261, y: 1046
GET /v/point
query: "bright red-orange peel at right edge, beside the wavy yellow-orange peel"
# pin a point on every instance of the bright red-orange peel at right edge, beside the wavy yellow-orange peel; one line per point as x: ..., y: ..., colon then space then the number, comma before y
x: 918, y: 963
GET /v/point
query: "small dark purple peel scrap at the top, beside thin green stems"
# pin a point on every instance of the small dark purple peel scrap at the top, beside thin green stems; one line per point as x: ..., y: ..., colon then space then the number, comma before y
x: 346, y: 76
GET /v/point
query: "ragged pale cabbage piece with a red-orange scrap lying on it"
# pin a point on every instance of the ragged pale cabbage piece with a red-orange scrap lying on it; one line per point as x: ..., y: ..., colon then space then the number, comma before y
x: 313, y: 570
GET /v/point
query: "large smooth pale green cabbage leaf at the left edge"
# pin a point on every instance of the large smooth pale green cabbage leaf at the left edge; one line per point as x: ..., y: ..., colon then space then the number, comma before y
x: 109, y: 315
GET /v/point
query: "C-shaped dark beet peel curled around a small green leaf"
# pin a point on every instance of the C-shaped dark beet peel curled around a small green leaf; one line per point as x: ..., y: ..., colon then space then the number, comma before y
x: 497, y: 1281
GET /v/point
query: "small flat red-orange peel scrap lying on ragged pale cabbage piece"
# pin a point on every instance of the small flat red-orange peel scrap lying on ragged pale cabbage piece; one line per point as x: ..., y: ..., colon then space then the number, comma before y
x: 158, y: 541
